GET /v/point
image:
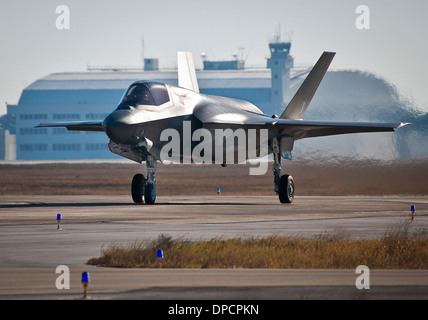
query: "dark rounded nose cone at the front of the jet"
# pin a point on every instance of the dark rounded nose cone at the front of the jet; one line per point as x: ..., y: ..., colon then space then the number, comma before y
x: 118, y: 127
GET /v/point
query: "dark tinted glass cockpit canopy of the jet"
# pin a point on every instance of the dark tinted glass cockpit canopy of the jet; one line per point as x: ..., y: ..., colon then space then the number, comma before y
x: 148, y: 93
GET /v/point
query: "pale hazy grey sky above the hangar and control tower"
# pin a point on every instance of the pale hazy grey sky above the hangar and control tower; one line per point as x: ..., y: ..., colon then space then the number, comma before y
x: 106, y: 32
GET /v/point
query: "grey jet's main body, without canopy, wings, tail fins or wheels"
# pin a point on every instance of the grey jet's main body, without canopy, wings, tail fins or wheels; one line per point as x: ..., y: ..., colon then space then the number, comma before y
x: 134, y: 126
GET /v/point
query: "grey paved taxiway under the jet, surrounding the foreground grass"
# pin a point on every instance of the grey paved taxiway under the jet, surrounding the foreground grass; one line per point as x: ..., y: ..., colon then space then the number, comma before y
x: 32, y: 247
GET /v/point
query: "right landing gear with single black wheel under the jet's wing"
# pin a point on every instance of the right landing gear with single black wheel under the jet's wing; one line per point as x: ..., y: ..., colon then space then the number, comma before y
x: 284, y: 185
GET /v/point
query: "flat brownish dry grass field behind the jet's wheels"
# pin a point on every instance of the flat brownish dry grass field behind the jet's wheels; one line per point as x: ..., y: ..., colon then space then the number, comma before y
x: 344, y: 177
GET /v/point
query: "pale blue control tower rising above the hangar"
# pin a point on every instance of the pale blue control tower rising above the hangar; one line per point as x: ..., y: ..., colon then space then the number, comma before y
x: 280, y: 63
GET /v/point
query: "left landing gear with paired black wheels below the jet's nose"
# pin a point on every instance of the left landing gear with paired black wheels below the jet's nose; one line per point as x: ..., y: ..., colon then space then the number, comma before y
x: 145, y: 188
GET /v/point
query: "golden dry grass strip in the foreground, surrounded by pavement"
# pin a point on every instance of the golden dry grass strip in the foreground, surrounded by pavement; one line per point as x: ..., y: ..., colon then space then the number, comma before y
x: 396, y: 250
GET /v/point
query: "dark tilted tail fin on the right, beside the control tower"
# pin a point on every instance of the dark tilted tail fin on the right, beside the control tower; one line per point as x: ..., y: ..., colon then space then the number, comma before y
x: 299, y: 103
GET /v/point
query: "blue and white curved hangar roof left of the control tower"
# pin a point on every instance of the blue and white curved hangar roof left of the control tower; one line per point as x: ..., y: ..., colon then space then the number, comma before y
x: 95, y: 87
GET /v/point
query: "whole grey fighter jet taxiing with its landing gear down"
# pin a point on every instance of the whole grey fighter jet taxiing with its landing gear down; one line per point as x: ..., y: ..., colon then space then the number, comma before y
x: 151, y: 114
